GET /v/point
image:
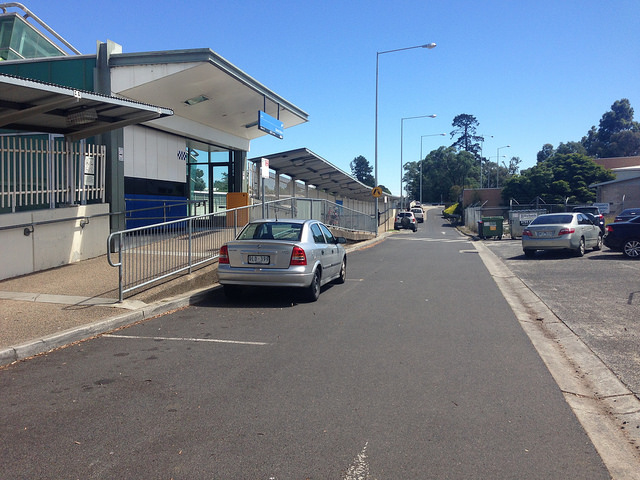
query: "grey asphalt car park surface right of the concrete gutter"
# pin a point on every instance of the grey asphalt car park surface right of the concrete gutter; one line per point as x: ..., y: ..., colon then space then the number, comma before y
x: 597, y: 296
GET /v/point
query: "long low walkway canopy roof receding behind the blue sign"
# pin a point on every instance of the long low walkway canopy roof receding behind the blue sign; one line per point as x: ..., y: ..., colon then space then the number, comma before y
x: 302, y: 164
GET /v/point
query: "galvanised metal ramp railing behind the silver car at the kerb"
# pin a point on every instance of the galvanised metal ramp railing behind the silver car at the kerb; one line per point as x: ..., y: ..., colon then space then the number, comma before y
x: 146, y: 255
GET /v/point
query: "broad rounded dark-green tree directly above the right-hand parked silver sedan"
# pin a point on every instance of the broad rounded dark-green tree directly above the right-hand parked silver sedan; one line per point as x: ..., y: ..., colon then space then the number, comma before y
x: 559, y: 177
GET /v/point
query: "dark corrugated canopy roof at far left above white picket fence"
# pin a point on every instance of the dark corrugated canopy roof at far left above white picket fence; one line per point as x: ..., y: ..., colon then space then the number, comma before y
x: 29, y: 105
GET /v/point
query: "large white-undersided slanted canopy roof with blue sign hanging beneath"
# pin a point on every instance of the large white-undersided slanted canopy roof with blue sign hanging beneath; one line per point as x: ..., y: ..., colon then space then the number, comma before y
x: 201, y: 86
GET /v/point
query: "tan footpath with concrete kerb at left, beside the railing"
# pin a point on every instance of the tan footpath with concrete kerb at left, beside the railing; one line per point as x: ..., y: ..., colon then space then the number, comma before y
x: 49, y: 309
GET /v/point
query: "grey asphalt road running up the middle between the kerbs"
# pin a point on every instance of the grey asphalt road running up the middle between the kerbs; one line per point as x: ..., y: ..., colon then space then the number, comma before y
x: 415, y: 368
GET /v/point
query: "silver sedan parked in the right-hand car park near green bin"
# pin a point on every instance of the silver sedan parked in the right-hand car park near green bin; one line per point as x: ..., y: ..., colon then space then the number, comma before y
x: 561, y: 231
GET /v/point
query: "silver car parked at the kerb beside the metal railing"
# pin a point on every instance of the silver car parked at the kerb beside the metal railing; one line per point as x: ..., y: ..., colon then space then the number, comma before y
x: 283, y: 253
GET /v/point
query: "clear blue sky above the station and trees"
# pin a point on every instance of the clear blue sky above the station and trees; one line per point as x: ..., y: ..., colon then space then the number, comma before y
x: 530, y: 72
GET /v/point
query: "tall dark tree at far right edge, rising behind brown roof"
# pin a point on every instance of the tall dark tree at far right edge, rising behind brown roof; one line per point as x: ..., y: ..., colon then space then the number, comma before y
x: 618, y: 135
